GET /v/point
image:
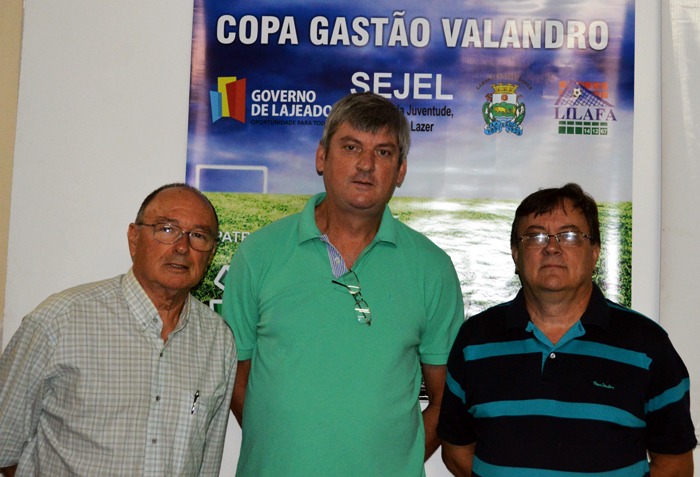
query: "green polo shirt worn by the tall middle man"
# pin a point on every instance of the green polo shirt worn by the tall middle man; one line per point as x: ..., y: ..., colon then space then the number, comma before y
x: 326, y: 394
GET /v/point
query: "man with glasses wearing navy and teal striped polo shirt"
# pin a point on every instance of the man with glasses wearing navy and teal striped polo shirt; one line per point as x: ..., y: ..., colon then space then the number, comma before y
x: 561, y: 381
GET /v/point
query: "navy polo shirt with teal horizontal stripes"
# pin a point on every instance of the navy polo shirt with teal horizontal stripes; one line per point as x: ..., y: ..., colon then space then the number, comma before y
x: 612, y: 388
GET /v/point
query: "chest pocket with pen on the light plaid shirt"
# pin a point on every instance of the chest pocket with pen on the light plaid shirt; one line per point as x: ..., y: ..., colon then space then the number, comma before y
x: 190, y: 436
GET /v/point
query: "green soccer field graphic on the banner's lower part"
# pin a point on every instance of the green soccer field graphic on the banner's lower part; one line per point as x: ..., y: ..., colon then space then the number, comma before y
x: 475, y: 233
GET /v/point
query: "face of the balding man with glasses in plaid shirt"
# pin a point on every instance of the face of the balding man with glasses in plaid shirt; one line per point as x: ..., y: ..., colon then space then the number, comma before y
x: 168, y: 269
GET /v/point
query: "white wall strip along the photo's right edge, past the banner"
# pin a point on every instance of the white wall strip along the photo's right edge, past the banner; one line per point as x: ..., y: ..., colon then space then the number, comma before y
x: 680, y: 191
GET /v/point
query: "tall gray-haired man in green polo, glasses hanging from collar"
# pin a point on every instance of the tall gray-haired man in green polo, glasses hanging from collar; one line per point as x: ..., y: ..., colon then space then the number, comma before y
x: 336, y: 310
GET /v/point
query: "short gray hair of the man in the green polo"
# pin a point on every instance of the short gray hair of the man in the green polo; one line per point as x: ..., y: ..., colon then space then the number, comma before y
x: 368, y: 112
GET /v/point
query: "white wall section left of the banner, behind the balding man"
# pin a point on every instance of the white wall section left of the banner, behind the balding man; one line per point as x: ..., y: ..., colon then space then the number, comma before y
x: 102, y: 121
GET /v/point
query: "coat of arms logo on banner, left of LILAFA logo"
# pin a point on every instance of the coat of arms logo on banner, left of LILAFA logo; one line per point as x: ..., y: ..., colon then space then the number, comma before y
x: 502, y: 110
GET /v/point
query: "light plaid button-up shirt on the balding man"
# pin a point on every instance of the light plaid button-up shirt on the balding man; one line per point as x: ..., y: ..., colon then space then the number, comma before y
x: 88, y: 388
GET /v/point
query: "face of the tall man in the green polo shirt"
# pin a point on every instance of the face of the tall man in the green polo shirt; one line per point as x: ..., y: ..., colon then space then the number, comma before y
x: 360, y: 169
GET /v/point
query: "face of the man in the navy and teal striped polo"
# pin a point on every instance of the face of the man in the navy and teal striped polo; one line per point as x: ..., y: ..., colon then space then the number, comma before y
x: 555, y: 268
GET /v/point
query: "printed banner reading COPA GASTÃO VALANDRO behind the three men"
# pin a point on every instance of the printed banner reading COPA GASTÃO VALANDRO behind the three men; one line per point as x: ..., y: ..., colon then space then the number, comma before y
x: 502, y: 99
